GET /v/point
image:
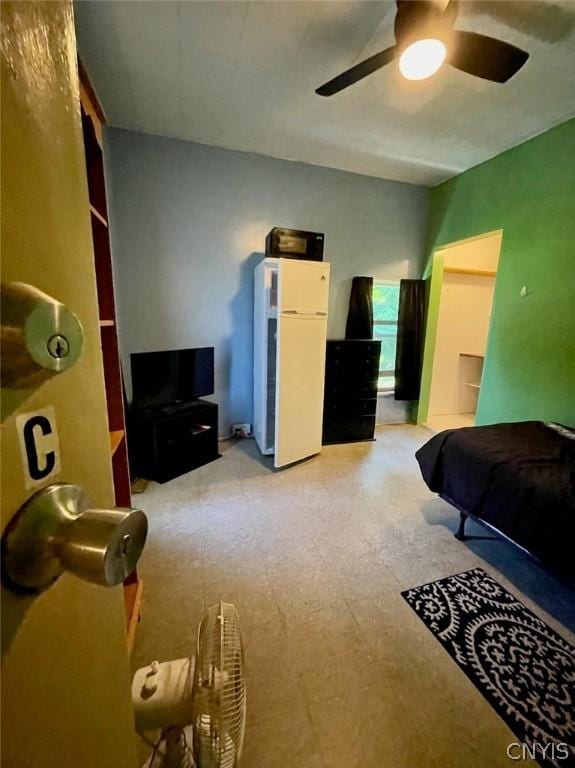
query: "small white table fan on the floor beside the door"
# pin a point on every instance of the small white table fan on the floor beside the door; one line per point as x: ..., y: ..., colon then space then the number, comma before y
x: 204, y: 696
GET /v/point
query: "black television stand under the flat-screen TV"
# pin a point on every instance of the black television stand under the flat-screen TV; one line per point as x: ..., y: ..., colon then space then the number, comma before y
x: 169, y: 441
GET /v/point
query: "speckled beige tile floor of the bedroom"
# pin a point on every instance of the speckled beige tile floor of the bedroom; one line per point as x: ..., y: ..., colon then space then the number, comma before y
x: 341, y: 673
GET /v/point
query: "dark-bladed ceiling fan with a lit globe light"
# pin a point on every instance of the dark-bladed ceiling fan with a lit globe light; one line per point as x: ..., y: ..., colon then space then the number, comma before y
x: 425, y: 39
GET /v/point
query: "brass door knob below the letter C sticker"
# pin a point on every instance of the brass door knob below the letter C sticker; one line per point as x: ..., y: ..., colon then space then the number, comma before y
x: 57, y: 531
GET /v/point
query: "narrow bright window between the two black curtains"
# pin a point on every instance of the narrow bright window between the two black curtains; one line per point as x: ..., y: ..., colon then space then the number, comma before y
x: 385, y: 310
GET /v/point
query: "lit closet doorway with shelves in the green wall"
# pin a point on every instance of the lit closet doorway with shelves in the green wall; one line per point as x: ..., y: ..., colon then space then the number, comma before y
x: 468, y: 272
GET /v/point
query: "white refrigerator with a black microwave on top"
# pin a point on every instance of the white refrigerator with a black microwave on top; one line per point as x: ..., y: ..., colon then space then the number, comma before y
x: 290, y: 331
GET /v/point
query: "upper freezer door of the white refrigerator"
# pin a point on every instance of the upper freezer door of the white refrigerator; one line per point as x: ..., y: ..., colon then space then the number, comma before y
x: 303, y: 286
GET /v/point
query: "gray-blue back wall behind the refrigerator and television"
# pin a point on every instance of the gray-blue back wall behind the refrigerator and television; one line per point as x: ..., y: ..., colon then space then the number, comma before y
x: 189, y: 223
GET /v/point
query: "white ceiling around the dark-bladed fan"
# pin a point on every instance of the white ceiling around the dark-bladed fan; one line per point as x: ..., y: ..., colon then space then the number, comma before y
x: 242, y: 75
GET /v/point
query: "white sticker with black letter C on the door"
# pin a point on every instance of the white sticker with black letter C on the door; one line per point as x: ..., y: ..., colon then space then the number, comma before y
x: 39, y: 446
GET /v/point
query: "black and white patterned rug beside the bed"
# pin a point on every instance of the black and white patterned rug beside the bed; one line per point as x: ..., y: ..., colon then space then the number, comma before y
x: 524, y: 669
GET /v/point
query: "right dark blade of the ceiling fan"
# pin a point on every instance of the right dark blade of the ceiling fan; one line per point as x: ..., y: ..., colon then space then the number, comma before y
x: 486, y: 57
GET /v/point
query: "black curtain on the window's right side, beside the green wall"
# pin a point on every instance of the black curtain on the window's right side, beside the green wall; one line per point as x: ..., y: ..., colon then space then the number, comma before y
x: 410, y: 339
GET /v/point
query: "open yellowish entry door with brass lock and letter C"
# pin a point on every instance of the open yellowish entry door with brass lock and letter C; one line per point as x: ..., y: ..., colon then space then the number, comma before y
x: 66, y: 677
